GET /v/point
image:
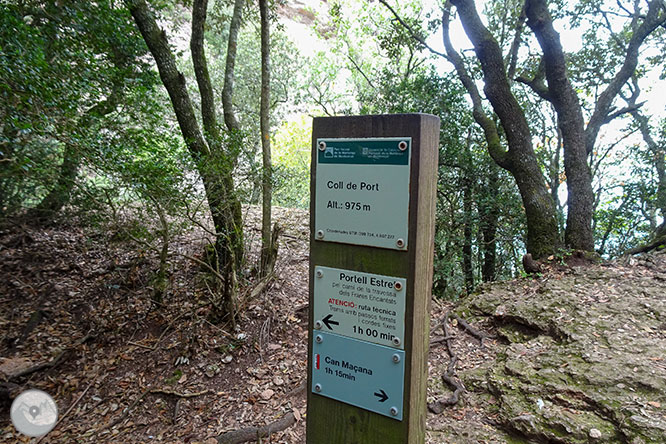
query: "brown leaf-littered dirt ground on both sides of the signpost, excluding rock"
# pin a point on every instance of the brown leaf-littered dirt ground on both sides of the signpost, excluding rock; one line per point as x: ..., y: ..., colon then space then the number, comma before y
x: 122, y: 369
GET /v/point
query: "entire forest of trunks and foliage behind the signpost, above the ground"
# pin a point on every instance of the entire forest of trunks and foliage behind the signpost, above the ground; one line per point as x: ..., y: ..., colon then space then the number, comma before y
x: 149, y: 118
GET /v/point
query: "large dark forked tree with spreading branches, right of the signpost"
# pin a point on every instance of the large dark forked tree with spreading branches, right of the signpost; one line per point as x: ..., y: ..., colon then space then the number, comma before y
x: 550, y: 80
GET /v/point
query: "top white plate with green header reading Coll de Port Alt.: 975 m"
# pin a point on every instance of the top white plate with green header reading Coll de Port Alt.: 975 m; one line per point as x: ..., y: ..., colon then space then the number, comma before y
x: 363, y: 191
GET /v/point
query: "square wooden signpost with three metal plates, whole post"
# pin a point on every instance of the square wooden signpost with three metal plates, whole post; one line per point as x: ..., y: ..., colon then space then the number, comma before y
x: 372, y: 219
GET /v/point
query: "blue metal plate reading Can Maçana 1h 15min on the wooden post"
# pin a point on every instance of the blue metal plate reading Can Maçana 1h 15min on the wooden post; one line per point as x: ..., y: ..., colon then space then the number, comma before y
x: 359, y: 373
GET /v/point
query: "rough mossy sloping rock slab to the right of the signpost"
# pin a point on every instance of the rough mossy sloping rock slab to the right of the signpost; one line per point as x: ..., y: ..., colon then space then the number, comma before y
x: 578, y: 357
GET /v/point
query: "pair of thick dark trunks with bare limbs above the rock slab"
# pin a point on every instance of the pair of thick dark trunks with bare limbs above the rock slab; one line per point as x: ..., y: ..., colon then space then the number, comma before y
x: 519, y: 159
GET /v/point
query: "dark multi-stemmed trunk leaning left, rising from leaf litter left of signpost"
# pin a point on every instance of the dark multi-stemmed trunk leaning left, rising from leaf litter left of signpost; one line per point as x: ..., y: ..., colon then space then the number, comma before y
x: 215, y: 166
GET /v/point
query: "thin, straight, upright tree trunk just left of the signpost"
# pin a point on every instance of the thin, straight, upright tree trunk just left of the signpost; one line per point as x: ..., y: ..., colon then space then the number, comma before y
x: 267, y: 249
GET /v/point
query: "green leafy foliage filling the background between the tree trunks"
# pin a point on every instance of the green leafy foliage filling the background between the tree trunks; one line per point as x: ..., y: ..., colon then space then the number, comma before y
x: 62, y: 63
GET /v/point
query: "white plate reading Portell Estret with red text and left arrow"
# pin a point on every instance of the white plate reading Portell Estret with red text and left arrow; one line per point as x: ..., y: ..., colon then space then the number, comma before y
x: 359, y: 305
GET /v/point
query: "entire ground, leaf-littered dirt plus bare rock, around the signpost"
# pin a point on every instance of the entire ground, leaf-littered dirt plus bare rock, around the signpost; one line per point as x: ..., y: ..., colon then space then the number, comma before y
x: 573, y: 355
